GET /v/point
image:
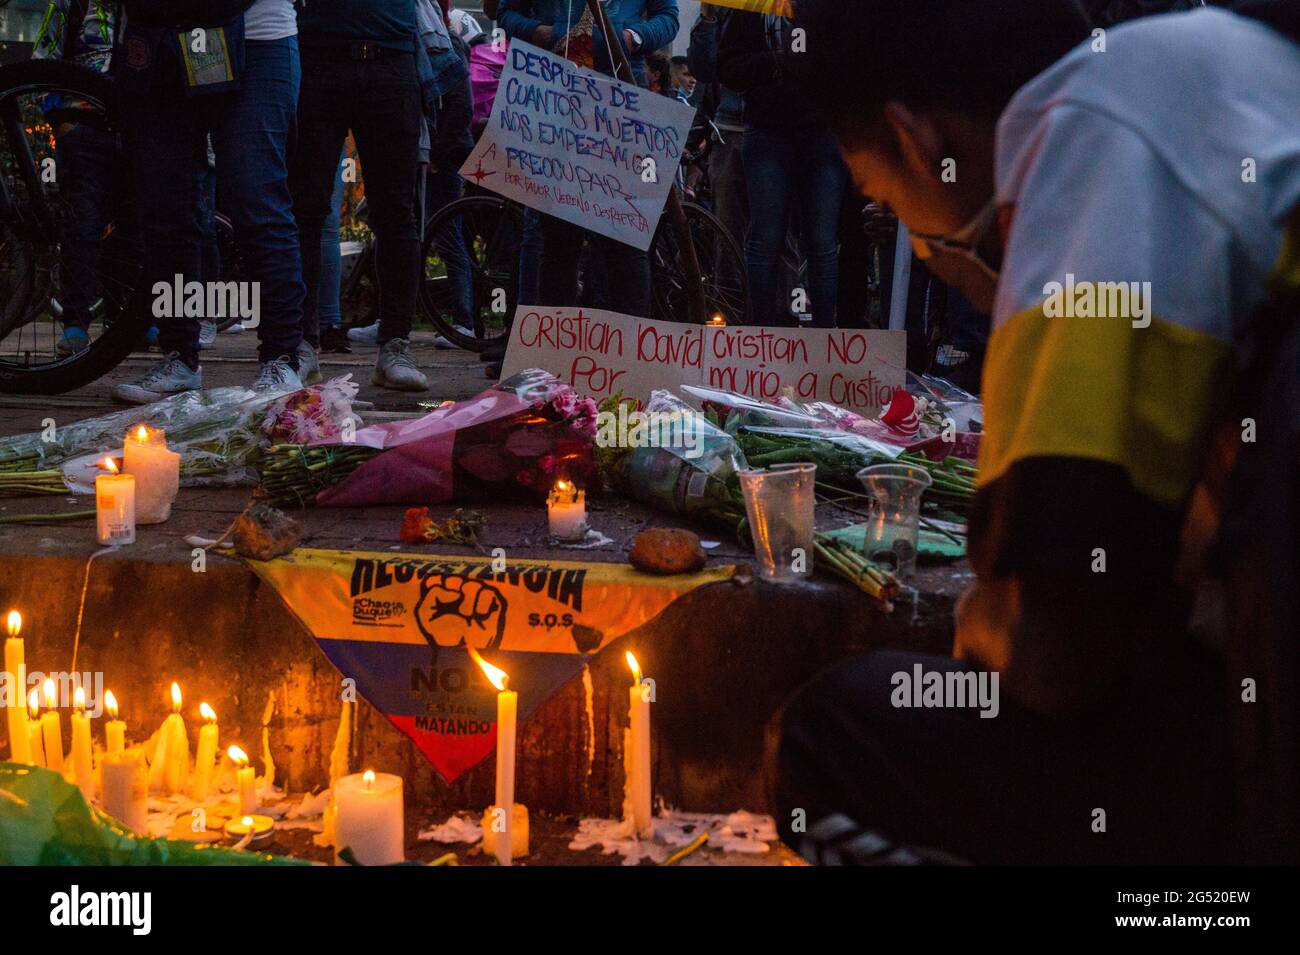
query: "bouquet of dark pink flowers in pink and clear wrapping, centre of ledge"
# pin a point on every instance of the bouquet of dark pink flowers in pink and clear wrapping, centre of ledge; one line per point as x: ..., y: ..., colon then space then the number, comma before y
x: 515, y: 439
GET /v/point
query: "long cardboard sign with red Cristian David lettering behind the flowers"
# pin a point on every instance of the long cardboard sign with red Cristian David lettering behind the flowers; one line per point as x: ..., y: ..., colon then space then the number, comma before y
x: 601, y: 354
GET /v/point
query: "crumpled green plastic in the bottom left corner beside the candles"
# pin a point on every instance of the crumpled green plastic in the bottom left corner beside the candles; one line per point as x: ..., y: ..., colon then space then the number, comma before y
x: 45, y: 821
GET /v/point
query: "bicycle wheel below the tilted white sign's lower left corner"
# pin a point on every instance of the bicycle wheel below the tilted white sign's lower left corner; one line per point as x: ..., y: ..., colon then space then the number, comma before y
x: 471, y: 270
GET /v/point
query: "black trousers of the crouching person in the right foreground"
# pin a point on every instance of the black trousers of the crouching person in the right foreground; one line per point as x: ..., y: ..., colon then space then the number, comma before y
x: 1017, y: 788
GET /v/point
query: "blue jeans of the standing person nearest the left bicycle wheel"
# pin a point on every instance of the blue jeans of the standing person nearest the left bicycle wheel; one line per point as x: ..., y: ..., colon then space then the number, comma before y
x: 252, y: 133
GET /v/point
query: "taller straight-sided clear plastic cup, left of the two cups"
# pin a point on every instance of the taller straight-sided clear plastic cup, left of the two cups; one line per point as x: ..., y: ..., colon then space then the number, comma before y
x: 779, y: 502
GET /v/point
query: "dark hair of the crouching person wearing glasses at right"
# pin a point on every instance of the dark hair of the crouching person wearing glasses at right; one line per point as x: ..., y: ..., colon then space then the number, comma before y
x: 964, y: 55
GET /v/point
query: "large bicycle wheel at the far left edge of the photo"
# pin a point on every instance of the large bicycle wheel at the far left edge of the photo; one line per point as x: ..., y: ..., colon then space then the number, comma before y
x: 42, y: 205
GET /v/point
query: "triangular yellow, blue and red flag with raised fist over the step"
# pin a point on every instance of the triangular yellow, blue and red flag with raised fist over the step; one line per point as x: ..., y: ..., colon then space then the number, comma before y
x: 400, y: 626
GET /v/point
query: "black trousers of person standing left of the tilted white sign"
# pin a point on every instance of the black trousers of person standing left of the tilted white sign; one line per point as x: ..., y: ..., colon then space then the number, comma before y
x: 380, y: 102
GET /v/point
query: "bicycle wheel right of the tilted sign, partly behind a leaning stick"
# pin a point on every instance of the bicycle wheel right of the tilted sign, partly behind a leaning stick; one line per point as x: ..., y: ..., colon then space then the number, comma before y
x: 721, y: 263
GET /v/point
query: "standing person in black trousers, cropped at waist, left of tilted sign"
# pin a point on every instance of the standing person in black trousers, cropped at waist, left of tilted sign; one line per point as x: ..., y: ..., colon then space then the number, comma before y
x: 359, y: 73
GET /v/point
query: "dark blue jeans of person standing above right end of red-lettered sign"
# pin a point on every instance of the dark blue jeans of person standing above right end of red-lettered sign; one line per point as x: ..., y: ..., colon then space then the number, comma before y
x: 783, y: 167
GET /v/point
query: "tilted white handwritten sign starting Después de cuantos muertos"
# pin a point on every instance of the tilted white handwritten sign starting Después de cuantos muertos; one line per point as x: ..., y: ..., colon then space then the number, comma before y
x: 580, y: 146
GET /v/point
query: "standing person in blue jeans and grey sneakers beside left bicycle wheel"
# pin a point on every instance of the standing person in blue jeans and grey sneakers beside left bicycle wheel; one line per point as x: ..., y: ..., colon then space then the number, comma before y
x: 242, y: 88
